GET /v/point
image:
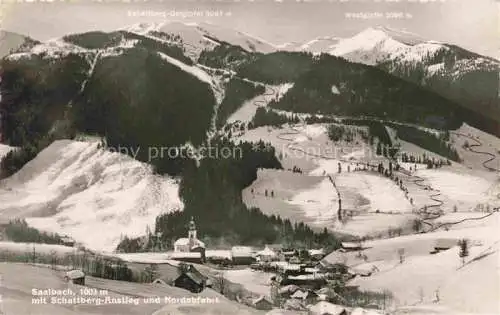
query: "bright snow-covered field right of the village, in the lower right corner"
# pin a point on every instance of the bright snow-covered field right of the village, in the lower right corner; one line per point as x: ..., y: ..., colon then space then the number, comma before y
x: 471, y: 288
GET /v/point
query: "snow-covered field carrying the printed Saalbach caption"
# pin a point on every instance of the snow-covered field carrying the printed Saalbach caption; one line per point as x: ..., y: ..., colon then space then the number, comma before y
x: 18, y: 281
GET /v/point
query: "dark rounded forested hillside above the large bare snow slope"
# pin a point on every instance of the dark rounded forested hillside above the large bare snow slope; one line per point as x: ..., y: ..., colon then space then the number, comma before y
x: 138, y: 100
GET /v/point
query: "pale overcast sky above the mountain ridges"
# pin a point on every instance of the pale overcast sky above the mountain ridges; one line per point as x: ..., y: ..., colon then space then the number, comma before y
x: 472, y: 24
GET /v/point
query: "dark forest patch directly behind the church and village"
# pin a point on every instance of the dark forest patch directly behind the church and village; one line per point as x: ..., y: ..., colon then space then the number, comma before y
x: 212, y: 194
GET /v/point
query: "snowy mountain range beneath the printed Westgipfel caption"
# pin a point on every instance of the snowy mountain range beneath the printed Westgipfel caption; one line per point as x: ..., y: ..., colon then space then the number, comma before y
x: 460, y: 75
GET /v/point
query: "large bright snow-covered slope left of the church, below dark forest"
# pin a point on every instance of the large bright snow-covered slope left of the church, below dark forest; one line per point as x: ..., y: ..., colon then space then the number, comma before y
x: 91, y: 194
